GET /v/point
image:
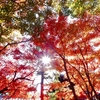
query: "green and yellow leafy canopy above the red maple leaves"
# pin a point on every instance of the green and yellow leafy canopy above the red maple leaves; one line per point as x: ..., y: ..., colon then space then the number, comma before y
x: 28, y: 16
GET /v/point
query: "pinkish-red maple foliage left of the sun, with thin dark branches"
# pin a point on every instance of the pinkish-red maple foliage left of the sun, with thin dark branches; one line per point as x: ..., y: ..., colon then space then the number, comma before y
x: 17, y: 71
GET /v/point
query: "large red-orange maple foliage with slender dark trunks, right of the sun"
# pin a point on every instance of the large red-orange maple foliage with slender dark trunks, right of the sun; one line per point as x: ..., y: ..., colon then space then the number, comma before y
x: 76, y: 48
